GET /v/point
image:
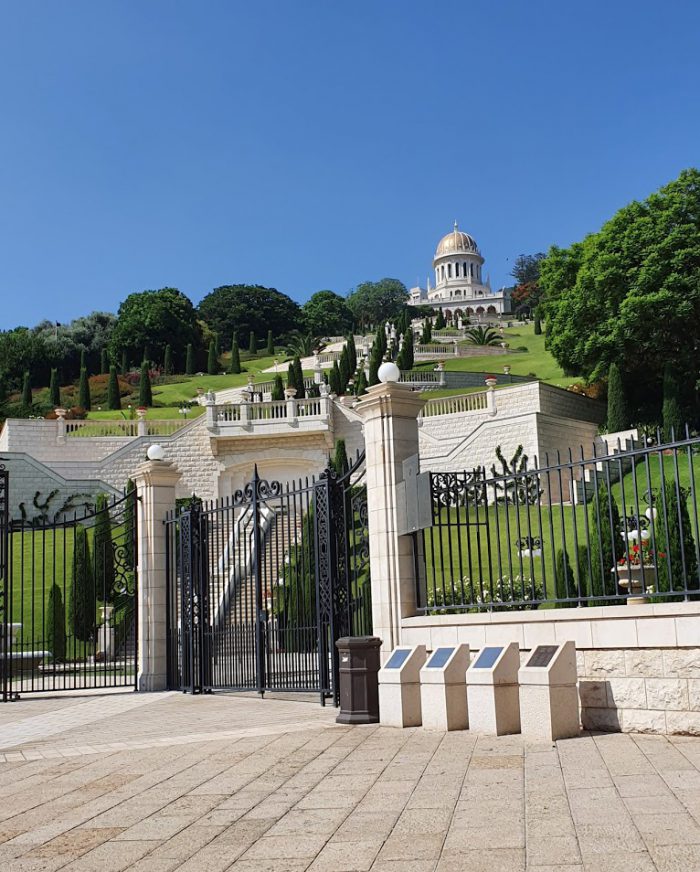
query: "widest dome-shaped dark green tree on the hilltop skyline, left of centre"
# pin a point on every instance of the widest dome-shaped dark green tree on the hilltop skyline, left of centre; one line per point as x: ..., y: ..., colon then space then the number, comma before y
x: 244, y: 309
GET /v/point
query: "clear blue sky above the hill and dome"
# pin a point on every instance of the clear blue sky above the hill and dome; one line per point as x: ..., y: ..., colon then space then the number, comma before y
x: 308, y: 144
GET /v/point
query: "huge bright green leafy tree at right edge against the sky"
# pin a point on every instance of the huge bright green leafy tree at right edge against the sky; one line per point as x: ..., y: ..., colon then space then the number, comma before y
x: 630, y: 294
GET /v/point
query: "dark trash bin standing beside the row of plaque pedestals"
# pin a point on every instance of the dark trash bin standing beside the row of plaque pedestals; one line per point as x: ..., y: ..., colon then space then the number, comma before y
x: 359, y: 687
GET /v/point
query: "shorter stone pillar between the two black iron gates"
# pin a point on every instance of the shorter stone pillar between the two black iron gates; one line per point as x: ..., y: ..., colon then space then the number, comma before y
x: 155, y: 484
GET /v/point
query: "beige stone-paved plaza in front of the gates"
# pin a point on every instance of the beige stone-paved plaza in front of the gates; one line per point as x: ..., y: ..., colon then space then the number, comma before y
x: 158, y: 782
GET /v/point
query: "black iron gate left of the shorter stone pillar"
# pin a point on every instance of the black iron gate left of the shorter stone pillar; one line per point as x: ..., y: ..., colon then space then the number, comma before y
x: 67, y: 595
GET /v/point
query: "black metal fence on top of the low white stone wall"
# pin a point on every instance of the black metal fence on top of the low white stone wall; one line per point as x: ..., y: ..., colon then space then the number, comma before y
x: 610, y: 529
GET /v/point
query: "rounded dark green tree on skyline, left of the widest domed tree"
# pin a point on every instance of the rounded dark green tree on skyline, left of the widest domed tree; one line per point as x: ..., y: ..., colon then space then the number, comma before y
x: 155, y: 319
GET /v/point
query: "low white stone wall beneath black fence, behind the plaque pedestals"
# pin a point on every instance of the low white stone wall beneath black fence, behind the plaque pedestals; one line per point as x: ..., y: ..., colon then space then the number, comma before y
x: 638, y: 666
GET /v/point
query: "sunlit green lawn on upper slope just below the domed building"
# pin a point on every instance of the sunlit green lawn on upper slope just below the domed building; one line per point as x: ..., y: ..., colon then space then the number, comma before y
x: 536, y: 360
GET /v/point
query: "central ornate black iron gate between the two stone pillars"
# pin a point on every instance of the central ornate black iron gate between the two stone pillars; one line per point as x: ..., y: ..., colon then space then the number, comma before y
x: 260, y: 586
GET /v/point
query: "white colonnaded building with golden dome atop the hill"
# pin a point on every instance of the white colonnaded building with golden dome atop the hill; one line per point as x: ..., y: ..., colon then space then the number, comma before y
x: 459, y: 289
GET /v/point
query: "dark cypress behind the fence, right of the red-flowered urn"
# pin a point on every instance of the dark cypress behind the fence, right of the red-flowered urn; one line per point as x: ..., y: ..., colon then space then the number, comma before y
x: 674, y: 539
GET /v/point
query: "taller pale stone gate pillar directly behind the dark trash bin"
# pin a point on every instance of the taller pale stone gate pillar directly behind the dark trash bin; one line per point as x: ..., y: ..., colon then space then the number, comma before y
x: 390, y: 417
